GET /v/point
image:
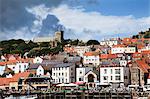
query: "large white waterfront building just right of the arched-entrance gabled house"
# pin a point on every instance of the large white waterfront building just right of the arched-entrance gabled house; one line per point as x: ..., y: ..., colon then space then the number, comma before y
x: 114, y: 75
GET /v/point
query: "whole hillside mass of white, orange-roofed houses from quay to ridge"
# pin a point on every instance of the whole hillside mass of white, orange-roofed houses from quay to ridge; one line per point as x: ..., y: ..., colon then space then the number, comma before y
x: 113, y: 62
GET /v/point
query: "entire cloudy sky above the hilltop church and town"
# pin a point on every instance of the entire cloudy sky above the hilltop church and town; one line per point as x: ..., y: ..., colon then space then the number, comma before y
x: 79, y: 19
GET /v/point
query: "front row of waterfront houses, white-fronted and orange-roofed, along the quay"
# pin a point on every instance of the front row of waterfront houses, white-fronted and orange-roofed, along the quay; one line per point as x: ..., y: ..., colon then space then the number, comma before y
x: 59, y: 72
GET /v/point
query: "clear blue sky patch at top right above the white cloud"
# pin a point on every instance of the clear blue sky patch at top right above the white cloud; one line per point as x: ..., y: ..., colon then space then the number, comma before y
x: 137, y: 8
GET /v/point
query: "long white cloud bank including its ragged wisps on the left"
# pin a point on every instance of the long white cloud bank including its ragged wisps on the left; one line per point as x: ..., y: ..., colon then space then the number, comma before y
x: 89, y: 25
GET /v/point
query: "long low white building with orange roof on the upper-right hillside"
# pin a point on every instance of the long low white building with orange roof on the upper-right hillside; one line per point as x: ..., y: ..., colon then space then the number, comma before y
x: 122, y: 49
